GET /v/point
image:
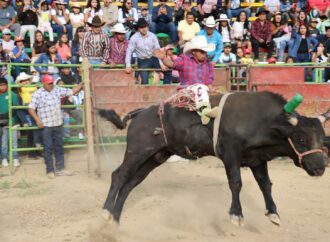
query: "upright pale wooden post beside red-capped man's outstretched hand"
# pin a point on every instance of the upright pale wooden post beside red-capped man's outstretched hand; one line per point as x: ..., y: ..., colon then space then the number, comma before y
x: 91, y: 165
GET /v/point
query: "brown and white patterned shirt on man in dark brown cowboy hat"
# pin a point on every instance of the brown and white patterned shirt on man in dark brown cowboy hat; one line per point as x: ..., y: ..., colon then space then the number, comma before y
x: 95, y: 45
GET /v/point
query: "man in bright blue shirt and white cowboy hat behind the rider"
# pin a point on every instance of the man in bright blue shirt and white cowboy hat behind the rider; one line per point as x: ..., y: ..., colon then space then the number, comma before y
x: 213, y: 37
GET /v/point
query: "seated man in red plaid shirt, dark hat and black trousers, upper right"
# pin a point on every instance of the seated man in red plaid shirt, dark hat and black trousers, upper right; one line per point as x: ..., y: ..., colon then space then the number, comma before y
x: 261, y: 34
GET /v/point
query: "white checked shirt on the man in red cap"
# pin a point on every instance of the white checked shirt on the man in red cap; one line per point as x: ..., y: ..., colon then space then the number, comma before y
x: 48, y: 105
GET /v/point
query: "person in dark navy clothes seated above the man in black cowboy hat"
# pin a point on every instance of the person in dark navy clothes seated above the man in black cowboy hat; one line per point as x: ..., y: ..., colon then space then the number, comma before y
x: 162, y: 21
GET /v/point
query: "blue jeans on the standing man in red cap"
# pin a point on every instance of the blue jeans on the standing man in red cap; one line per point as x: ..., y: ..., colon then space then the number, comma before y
x: 53, y: 140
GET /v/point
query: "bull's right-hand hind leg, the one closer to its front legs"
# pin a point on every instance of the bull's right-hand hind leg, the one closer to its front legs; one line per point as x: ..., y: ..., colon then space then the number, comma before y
x: 143, y: 171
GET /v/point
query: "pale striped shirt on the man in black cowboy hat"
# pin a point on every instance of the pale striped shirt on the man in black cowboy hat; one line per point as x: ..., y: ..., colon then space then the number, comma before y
x: 143, y: 46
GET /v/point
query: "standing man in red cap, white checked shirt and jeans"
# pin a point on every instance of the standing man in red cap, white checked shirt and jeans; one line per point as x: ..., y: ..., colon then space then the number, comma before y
x: 48, y: 117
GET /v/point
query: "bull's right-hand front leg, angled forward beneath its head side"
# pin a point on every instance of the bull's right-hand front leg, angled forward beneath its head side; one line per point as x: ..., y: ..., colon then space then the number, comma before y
x: 260, y: 173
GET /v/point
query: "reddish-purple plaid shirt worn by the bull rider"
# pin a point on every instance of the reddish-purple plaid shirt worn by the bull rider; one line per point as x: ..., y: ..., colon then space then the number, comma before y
x: 192, y: 72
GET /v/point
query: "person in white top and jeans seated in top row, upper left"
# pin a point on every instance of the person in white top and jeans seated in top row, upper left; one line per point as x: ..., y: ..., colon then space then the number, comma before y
x: 61, y: 19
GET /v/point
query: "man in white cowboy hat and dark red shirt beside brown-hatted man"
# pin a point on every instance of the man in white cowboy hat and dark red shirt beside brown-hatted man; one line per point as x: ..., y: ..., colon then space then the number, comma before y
x: 118, y: 45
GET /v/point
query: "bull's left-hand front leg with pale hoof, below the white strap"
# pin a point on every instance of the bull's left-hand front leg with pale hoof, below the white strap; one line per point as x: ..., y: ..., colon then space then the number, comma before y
x: 235, y: 185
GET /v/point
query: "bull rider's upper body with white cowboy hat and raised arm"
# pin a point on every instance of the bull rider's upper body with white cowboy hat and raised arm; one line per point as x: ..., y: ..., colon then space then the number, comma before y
x: 193, y: 65
